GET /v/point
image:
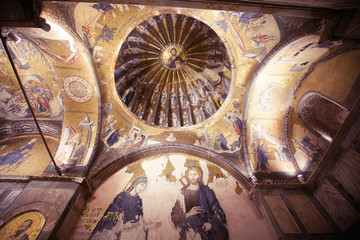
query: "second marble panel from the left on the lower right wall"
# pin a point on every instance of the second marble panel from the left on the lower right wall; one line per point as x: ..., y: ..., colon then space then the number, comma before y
x: 308, y: 214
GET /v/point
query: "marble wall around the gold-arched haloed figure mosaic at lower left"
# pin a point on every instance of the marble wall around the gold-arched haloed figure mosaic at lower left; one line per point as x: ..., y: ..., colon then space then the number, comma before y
x: 44, y: 202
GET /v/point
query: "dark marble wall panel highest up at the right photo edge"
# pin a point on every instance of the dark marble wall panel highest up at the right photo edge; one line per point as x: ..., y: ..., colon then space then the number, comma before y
x: 347, y: 172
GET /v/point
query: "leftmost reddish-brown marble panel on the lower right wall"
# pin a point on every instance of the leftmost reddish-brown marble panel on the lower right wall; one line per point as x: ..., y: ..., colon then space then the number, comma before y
x: 282, y: 214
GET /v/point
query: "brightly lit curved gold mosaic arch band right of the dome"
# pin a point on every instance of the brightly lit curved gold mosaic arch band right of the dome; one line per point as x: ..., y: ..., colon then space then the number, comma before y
x: 270, y: 97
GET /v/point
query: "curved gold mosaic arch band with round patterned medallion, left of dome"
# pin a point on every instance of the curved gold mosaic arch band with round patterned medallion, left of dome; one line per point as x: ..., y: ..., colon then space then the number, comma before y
x: 75, y: 78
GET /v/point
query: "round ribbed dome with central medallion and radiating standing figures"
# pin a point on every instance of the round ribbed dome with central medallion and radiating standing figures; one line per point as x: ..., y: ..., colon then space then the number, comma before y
x: 172, y: 71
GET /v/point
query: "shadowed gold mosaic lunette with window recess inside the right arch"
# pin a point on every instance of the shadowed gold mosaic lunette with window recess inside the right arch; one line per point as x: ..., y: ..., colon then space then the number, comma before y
x: 323, y: 124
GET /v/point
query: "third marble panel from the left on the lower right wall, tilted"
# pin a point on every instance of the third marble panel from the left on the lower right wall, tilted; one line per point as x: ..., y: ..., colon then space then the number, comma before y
x: 338, y: 208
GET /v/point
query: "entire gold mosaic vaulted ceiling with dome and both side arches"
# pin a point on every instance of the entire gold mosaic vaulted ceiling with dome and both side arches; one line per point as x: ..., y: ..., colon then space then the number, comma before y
x: 114, y: 81
